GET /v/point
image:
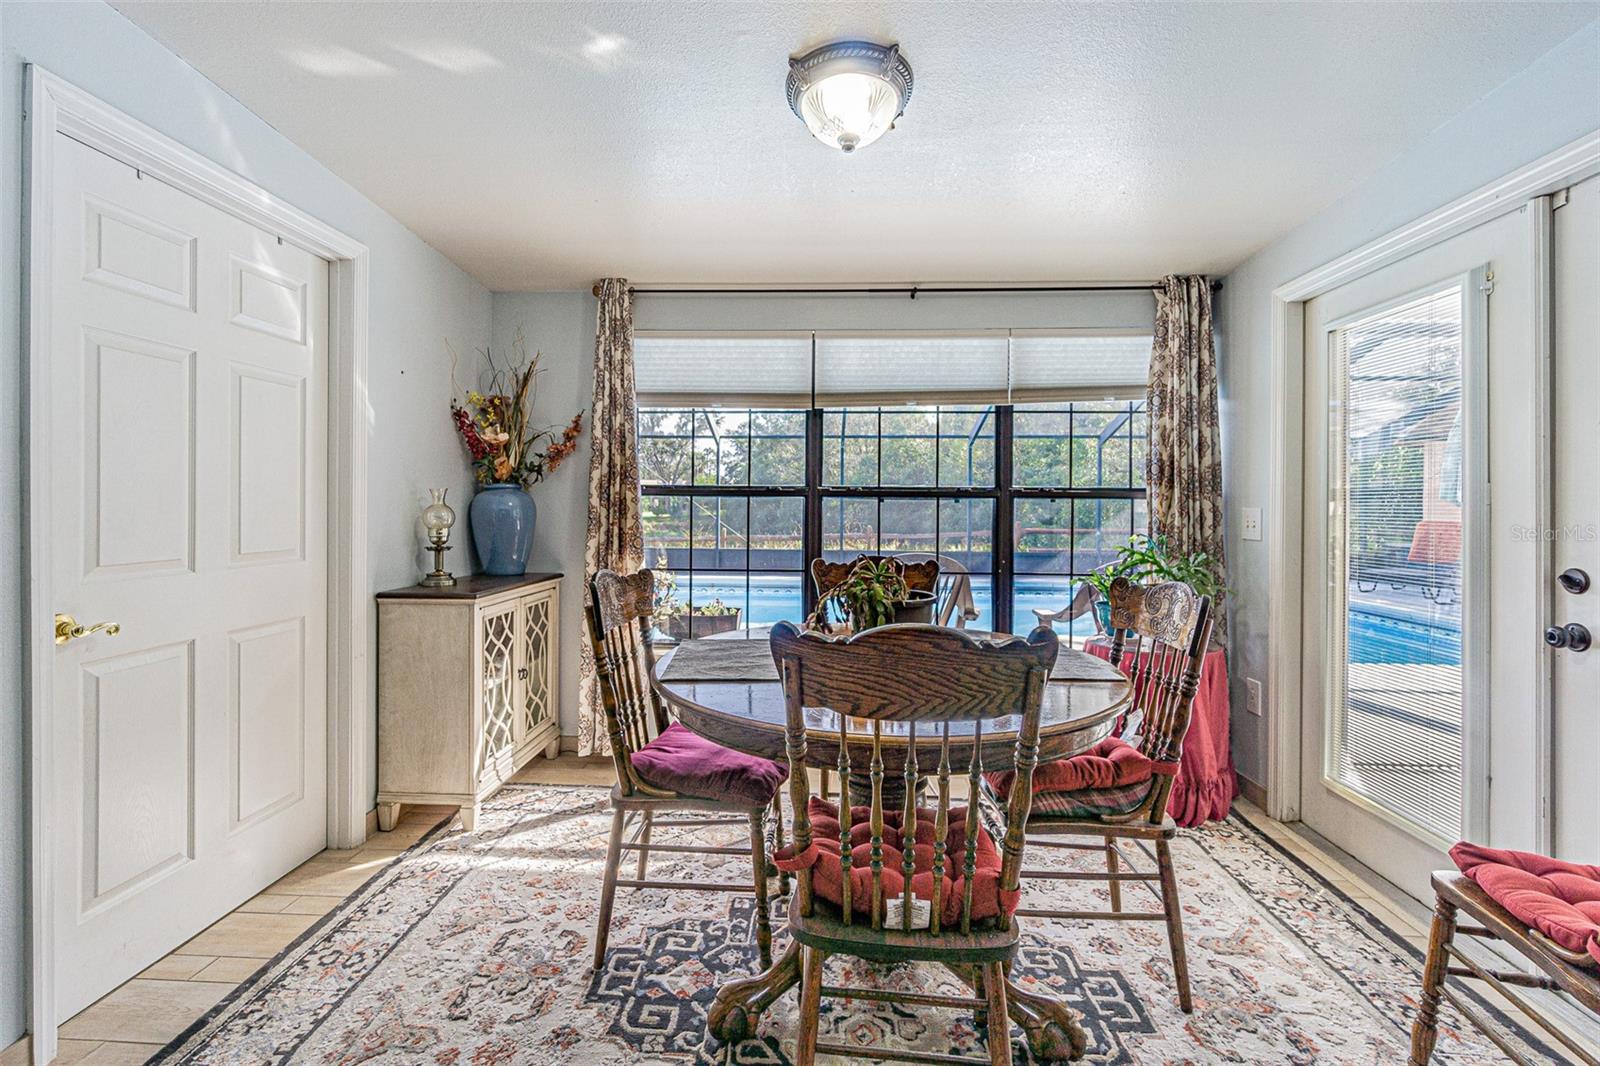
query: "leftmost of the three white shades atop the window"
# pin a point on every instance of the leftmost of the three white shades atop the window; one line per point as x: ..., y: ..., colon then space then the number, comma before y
x: 767, y: 371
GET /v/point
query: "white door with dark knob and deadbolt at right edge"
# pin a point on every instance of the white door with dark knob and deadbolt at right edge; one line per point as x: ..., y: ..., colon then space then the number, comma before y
x: 1574, y: 534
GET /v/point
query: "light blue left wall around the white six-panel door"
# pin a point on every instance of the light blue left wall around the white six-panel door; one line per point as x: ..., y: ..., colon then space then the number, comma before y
x: 418, y: 299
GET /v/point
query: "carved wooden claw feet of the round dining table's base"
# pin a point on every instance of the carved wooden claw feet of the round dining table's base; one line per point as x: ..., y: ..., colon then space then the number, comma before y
x: 1052, y: 1028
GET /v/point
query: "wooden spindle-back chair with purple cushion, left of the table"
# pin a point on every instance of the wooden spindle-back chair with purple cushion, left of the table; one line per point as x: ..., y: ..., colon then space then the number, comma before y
x: 618, y: 614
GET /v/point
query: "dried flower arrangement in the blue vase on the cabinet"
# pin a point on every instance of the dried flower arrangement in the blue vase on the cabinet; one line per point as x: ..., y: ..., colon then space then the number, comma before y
x: 495, y: 423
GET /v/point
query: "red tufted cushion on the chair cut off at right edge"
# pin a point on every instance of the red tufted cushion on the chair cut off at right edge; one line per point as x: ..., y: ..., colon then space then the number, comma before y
x: 1561, y: 900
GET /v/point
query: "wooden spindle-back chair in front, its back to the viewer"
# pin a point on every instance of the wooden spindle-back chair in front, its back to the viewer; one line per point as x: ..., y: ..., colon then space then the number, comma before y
x: 918, y: 681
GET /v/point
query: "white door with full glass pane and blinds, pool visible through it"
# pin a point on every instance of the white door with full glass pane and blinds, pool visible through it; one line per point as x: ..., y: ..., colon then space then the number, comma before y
x: 1420, y: 603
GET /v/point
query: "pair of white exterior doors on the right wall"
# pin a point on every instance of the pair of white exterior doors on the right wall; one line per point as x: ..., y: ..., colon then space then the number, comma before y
x: 1449, y: 479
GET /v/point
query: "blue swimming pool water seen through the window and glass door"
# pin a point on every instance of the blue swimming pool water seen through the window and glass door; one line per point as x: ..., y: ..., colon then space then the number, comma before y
x: 1378, y: 633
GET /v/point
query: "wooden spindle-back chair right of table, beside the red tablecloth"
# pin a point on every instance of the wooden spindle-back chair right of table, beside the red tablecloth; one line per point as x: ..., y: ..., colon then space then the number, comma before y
x: 1159, y: 639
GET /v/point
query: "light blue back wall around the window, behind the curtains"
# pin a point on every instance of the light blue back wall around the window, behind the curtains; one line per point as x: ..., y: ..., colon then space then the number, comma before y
x: 562, y: 329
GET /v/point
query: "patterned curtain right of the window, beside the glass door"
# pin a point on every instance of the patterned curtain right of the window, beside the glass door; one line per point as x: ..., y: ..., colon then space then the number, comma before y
x: 1185, y: 471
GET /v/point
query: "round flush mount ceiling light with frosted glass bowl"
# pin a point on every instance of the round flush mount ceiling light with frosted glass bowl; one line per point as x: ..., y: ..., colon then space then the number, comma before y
x: 850, y: 94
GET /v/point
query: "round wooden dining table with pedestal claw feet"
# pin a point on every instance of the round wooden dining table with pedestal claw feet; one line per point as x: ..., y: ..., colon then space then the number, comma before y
x: 1082, y: 703
